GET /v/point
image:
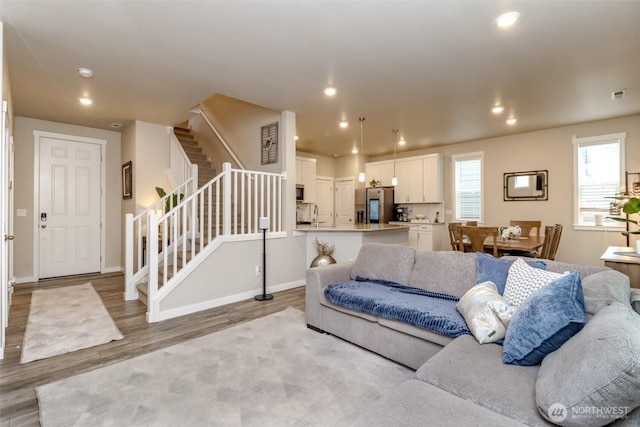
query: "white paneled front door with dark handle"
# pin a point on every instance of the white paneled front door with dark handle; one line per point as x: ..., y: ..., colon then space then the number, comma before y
x: 69, y: 211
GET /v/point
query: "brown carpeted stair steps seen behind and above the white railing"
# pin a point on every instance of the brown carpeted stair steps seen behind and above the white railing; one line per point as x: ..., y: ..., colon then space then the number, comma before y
x: 205, y: 174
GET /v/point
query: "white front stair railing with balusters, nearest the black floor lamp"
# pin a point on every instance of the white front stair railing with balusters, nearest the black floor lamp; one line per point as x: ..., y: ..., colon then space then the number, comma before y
x: 228, y: 207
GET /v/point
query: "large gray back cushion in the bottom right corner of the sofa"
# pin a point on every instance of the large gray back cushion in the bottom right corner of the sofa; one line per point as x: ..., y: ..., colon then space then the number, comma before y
x: 607, y: 375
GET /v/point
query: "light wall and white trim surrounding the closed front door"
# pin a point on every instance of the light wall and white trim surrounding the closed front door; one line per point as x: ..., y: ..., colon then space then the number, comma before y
x: 24, y: 195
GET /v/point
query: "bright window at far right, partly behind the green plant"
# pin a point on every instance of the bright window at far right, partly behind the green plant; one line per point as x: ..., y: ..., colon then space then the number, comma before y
x: 598, y: 171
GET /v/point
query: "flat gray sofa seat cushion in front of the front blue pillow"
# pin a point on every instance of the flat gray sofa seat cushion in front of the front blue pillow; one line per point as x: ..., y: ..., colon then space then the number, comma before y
x: 475, y: 372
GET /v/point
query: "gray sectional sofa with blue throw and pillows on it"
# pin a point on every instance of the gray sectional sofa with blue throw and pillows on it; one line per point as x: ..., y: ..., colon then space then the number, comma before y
x: 592, y: 379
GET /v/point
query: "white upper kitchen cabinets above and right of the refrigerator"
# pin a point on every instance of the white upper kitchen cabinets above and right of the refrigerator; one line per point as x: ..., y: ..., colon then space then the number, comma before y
x: 419, y: 178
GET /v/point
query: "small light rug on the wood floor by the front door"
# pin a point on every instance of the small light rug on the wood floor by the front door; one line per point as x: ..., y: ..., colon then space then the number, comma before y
x: 62, y: 320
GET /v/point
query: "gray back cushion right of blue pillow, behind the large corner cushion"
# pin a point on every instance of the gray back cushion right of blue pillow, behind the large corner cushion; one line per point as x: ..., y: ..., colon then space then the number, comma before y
x: 603, y: 288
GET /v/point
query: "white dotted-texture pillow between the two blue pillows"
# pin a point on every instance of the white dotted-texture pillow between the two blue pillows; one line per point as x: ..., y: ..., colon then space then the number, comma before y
x: 523, y: 280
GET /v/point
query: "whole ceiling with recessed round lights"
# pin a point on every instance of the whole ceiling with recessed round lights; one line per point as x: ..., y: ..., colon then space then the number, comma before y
x: 432, y: 69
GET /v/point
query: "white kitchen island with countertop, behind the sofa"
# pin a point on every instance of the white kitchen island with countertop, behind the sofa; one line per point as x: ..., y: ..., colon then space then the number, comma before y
x: 348, y: 239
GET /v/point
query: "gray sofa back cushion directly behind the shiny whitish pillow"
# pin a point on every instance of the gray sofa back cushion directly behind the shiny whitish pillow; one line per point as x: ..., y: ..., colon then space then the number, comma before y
x: 448, y: 272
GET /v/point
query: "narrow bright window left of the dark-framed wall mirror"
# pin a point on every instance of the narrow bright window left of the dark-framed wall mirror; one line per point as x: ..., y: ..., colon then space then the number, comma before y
x: 467, y: 187
